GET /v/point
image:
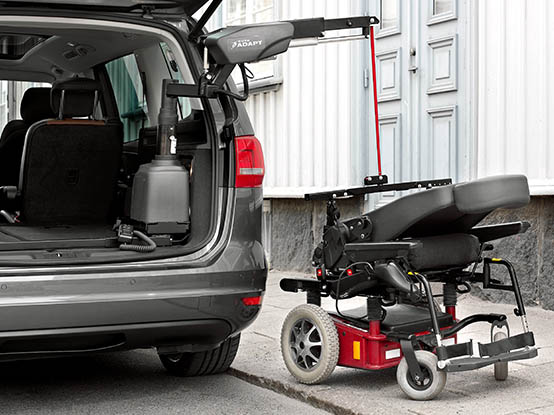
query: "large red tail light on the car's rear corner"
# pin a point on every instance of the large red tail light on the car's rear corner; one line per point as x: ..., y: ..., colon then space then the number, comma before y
x: 249, y: 162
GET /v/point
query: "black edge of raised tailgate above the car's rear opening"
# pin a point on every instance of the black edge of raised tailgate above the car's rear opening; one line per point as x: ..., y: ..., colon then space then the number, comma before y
x: 188, y: 7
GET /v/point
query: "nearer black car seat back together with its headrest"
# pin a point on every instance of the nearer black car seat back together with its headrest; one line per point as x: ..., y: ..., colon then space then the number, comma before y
x: 70, y: 164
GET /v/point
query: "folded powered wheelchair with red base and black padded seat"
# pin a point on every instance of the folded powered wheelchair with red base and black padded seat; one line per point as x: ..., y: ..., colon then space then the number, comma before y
x: 391, y: 256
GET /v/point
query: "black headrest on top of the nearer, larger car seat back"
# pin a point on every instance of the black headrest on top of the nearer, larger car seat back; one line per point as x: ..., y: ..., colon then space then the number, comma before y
x: 76, y: 97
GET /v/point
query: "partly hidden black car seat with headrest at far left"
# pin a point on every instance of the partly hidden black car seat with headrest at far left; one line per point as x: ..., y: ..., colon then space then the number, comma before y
x: 35, y: 106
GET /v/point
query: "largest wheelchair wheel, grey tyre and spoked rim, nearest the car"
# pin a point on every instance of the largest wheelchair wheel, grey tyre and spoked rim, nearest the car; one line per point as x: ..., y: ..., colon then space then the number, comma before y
x: 309, y: 344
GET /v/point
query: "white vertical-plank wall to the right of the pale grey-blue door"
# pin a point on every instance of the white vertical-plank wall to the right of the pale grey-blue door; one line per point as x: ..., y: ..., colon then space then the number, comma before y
x: 516, y: 90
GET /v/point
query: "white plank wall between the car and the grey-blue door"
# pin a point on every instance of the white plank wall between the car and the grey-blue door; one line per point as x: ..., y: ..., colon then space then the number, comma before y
x: 310, y: 128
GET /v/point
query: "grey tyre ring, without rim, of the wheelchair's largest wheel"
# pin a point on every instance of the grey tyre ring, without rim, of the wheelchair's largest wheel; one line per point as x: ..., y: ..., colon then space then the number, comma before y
x: 329, y: 354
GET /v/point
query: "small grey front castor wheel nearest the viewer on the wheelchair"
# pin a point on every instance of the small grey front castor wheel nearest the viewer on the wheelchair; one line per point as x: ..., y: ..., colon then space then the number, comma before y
x: 427, y: 388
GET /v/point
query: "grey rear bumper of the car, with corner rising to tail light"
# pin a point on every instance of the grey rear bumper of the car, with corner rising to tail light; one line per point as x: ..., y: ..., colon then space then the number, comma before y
x: 170, y: 302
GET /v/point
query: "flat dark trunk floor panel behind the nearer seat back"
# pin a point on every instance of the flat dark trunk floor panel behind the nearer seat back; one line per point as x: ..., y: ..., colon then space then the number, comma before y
x: 18, y: 233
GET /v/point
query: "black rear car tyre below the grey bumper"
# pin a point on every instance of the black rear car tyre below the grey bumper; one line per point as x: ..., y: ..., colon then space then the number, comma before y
x: 208, y: 362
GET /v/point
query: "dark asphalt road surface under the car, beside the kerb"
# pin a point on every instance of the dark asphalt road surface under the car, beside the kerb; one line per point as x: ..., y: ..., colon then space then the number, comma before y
x: 130, y: 383
